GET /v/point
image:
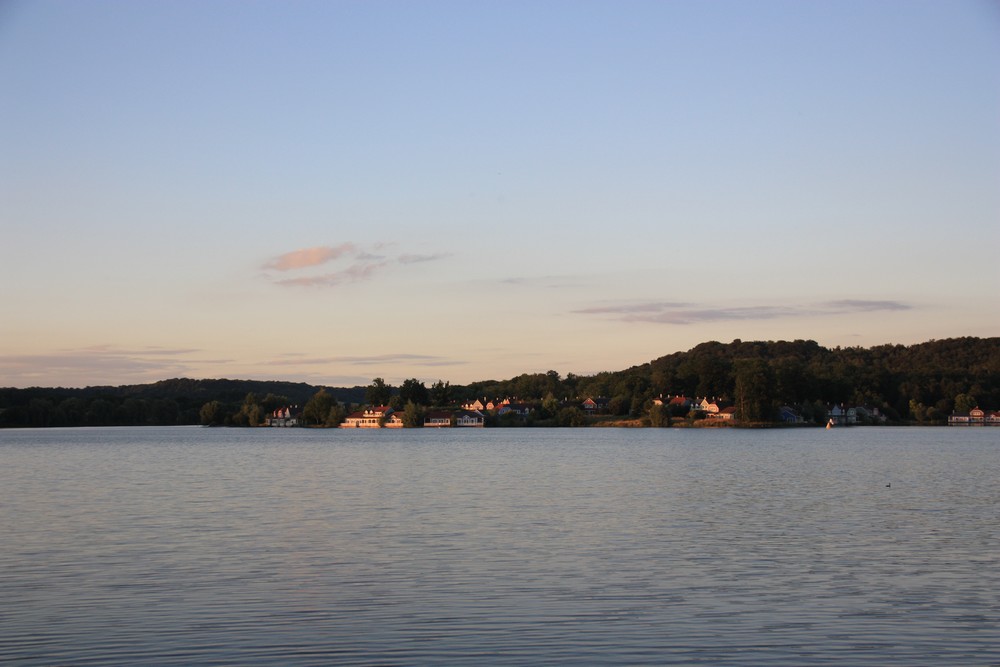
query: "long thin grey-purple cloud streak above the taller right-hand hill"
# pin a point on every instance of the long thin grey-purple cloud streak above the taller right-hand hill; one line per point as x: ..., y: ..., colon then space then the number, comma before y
x: 680, y: 313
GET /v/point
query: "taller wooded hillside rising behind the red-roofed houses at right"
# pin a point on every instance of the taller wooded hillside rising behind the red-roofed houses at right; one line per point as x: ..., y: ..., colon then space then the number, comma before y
x: 909, y: 383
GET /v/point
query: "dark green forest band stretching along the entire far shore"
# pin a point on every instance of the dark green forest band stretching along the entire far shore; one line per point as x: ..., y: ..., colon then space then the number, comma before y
x: 920, y: 383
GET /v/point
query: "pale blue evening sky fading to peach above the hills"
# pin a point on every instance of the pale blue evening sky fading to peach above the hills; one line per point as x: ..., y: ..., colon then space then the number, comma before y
x: 335, y: 191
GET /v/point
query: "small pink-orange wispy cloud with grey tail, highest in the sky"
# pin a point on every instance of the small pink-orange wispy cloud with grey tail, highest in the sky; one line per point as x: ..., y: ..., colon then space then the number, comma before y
x: 366, y: 264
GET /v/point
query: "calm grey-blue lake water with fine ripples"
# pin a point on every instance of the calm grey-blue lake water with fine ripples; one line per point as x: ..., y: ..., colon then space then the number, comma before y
x: 183, y: 546
